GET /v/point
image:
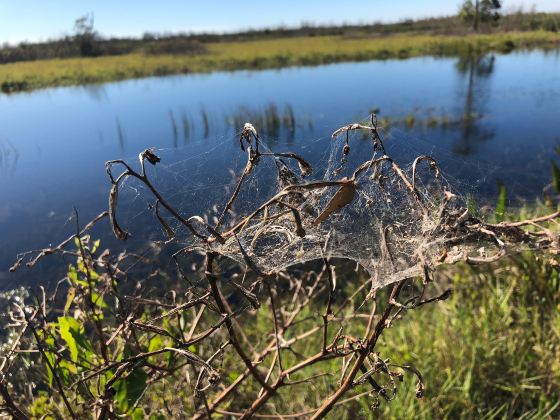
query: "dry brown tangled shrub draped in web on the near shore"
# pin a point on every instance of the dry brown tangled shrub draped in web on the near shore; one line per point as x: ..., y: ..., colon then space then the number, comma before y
x: 288, y: 250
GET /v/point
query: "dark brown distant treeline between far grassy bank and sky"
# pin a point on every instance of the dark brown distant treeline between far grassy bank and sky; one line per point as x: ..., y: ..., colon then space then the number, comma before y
x: 188, y: 44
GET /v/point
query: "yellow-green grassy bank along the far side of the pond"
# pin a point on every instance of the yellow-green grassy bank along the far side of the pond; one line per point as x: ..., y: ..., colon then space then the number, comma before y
x: 260, y: 54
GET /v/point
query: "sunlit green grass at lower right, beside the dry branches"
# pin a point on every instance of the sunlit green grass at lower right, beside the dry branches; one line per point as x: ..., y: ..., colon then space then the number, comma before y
x: 491, y: 351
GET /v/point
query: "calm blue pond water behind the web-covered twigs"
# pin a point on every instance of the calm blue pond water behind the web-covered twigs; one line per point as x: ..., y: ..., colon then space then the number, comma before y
x: 485, y: 119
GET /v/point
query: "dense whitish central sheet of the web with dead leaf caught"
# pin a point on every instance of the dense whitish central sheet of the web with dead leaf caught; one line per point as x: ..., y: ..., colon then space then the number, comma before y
x: 369, y: 216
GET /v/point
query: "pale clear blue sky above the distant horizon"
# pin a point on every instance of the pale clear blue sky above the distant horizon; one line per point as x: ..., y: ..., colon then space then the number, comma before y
x: 42, y: 19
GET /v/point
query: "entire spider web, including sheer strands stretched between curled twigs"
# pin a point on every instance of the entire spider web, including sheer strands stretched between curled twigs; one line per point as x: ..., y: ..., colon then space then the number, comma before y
x: 388, y: 219
